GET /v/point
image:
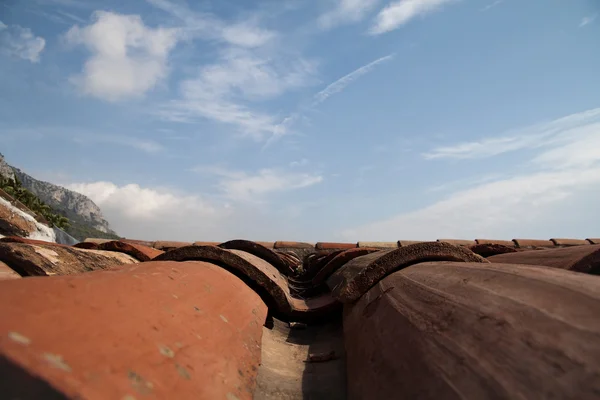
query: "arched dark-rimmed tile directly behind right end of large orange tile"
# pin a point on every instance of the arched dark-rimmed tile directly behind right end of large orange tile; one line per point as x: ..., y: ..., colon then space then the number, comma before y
x: 259, y: 274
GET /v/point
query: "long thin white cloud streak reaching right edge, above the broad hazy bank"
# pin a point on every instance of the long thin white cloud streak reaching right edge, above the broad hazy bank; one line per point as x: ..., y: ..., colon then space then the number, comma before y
x: 540, y: 135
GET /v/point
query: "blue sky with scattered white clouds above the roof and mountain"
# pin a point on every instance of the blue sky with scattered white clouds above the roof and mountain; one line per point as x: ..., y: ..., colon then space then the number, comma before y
x: 311, y: 120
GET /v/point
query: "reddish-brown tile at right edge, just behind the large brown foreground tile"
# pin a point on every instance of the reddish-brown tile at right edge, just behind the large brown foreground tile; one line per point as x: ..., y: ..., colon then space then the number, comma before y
x: 577, y: 258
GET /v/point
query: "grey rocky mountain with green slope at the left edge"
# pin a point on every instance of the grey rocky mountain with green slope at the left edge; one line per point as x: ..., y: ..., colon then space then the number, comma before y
x: 85, y: 217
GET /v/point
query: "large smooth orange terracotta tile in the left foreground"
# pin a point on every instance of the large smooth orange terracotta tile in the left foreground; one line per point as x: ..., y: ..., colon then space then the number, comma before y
x: 154, y: 330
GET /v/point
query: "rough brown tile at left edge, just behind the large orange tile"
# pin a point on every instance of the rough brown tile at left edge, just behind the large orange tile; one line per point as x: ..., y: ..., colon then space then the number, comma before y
x: 43, y: 260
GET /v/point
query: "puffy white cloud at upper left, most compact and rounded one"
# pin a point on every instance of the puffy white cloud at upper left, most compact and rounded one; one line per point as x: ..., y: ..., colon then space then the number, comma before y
x: 128, y: 58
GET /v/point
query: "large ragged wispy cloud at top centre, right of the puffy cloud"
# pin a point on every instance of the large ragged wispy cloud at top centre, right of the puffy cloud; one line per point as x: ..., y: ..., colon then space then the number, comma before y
x: 251, y: 67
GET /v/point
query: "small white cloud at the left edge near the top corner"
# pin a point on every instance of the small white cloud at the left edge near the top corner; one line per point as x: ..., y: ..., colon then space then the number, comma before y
x: 16, y: 41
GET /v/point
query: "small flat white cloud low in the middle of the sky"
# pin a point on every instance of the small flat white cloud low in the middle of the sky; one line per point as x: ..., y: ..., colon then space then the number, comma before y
x: 243, y: 186
